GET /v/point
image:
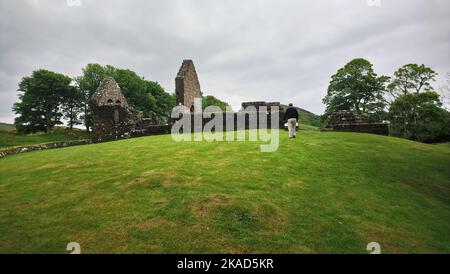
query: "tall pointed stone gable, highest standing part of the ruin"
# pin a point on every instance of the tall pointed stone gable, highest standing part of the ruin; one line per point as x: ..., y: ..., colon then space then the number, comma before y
x: 187, y: 86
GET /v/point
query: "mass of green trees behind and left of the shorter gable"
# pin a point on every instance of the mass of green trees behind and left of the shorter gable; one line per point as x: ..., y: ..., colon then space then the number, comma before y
x: 48, y: 97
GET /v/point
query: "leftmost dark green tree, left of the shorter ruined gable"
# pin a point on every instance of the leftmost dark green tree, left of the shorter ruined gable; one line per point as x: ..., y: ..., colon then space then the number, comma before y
x: 39, y: 102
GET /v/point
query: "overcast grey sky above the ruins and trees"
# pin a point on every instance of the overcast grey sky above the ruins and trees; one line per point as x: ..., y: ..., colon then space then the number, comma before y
x: 243, y: 50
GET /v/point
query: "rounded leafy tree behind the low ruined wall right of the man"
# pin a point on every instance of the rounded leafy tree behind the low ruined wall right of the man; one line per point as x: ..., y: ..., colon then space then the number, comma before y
x: 357, y: 88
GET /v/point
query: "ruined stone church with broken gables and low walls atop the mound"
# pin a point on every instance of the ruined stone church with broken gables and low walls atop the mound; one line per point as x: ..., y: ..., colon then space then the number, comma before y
x: 114, y: 119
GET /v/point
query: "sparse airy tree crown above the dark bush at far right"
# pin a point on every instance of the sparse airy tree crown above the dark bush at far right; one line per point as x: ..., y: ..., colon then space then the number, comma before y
x: 412, y: 78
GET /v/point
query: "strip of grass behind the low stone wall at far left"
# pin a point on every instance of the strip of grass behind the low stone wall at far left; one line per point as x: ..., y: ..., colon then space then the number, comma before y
x: 8, y: 139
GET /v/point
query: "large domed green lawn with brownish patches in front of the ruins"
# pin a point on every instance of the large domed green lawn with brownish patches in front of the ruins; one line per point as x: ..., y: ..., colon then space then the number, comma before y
x: 319, y: 193
